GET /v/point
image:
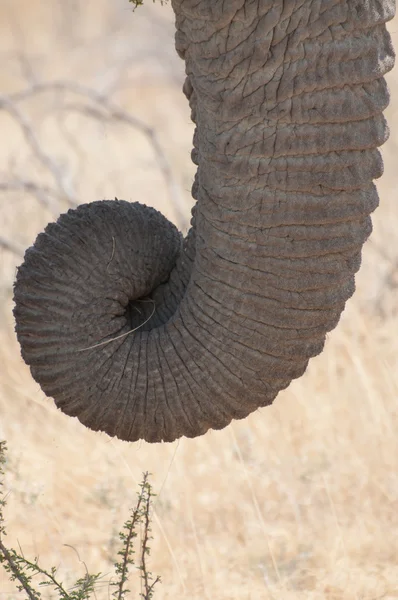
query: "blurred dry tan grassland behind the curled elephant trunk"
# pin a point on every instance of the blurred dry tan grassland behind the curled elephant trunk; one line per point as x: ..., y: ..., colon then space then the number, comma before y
x: 300, y: 500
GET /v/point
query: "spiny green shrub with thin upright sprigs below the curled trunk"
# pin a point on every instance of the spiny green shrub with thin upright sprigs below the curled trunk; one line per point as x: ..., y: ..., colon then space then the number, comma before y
x: 22, y: 571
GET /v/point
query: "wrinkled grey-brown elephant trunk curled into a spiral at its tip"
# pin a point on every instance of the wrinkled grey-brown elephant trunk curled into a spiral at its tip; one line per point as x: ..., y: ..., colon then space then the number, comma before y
x: 287, y: 97
